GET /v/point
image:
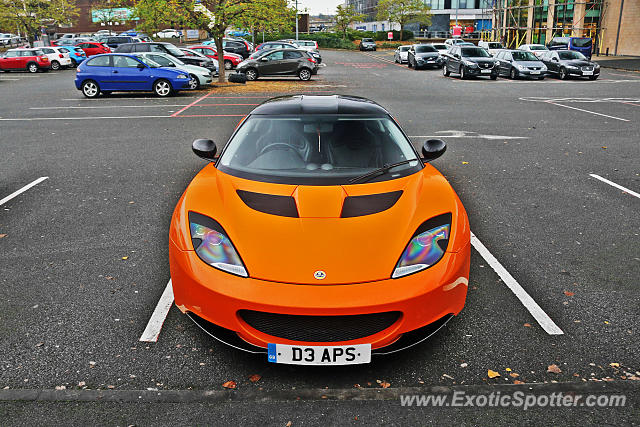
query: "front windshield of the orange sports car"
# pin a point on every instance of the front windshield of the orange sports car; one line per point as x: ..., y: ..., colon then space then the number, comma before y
x: 317, y: 149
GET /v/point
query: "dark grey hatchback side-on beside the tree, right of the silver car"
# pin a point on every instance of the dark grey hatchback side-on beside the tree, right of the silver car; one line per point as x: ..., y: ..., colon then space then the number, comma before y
x: 280, y: 62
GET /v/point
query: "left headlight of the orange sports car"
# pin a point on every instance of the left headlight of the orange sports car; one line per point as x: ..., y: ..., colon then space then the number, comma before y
x: 213, y: 246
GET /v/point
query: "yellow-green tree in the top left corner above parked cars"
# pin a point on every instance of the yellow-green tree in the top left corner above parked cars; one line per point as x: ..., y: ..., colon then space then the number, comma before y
x: 30, y: 16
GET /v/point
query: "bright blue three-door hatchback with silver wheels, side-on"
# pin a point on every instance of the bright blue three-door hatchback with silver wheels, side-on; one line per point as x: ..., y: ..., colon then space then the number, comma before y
x: 113, y: 72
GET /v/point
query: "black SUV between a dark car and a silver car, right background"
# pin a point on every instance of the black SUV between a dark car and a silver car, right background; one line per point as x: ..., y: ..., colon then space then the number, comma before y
x: 469, y: 61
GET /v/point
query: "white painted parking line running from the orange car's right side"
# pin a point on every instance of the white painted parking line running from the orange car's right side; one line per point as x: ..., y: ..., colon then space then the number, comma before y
x: 529, y: 303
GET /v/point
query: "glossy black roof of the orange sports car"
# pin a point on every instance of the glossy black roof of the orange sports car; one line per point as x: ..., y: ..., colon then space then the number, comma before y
x: 319, y: 104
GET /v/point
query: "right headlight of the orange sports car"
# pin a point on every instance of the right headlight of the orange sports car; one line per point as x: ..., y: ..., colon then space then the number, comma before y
x: 426, y: 248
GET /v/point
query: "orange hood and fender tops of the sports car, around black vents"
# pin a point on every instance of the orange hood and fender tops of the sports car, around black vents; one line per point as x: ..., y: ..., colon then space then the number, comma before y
x: 349, y: 250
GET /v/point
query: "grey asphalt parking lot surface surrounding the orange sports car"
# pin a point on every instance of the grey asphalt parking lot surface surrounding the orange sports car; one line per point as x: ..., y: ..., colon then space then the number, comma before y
x: 541, y: 167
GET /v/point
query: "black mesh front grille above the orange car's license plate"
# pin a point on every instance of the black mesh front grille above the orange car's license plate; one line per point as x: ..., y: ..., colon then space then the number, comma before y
x: 319, y: 328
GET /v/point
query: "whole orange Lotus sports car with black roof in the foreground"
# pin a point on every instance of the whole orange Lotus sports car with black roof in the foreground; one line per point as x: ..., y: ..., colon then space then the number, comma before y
x: 319, y: 235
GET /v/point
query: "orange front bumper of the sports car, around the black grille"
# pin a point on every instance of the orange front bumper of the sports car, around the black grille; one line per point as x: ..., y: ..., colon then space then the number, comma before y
x: 217, y: 297
